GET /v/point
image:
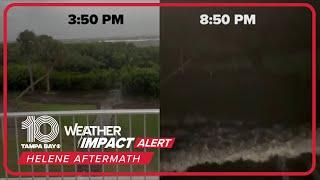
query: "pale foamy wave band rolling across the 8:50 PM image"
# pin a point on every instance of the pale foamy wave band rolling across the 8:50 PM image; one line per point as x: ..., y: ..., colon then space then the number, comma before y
x: 220, y: 145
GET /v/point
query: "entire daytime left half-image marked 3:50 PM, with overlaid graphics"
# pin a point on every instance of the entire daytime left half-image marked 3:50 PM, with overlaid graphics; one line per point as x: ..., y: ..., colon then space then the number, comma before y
x: 74, y: 74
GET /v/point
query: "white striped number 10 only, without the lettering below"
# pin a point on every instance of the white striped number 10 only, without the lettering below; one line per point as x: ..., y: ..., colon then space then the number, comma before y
x: 33, y: 128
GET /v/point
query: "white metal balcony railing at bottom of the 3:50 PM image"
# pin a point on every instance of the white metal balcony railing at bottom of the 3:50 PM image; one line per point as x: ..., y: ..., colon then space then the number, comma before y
x: 73, y: 114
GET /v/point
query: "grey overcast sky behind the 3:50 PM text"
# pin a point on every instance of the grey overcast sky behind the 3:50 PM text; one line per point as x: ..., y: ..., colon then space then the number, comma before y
x: 53, y: 21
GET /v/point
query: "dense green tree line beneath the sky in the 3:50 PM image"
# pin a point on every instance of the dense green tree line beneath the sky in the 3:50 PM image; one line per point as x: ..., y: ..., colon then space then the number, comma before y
x: 40, y: 62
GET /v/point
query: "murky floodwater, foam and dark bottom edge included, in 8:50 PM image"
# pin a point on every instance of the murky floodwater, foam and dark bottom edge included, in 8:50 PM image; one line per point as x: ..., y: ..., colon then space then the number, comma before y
x: 238, y: 147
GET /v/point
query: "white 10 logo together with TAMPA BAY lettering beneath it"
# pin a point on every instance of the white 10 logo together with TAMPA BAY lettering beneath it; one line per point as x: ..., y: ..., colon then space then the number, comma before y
x: 33, y: 126
